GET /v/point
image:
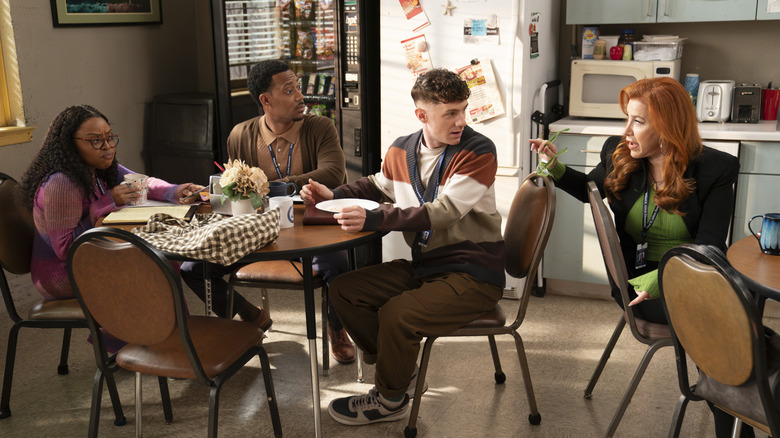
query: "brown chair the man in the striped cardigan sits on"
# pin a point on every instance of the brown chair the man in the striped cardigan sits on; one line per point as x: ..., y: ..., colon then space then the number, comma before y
x: 525, y: 236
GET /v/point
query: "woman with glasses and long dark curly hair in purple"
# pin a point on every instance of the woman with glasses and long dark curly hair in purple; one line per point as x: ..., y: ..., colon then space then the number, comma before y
x: 72, y: 182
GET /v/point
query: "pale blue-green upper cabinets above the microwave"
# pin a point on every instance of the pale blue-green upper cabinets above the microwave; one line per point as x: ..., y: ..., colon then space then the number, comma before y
x: 664, y: 11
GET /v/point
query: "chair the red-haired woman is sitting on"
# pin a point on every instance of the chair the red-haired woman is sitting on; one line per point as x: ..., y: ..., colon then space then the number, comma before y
x: 655, y: 336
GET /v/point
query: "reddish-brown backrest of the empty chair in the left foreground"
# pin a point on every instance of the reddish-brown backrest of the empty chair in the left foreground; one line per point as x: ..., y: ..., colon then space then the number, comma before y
x: 126, y: 291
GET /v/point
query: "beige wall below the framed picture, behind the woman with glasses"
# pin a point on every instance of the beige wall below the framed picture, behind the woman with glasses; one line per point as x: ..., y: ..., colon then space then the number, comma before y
x: 117, y: 69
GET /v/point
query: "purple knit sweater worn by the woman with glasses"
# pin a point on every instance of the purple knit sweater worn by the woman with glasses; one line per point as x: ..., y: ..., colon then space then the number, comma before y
x: 62, y: 212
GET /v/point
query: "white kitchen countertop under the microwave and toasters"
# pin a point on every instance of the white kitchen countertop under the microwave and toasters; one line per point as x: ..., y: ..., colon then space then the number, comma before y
x: 764, y: 130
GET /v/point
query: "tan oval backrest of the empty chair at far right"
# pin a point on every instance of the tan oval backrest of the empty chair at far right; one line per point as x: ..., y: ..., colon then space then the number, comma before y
x: 709, y: 319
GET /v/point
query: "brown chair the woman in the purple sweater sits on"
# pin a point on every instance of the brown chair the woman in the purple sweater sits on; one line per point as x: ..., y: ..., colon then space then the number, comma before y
x: 16, y: 242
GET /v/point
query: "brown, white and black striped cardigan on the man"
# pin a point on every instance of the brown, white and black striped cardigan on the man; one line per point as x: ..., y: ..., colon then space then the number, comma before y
x: 466, y: 227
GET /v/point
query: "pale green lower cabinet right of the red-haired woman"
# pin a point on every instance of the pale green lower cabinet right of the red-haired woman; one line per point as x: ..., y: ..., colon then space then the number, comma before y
x: 759, y: 180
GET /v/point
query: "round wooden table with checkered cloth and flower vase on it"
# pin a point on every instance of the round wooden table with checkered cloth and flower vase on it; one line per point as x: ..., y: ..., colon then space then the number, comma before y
x: 303, y: 242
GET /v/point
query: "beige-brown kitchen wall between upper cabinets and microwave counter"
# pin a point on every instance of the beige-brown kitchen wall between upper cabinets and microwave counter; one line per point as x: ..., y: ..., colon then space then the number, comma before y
x: 745, y: 51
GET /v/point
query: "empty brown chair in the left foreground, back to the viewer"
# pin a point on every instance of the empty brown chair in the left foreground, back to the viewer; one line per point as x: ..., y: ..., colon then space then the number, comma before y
x: 146, y: 309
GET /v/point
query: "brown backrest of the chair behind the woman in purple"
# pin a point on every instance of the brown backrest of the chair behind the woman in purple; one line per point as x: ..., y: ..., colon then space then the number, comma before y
x: 16, y: 228
